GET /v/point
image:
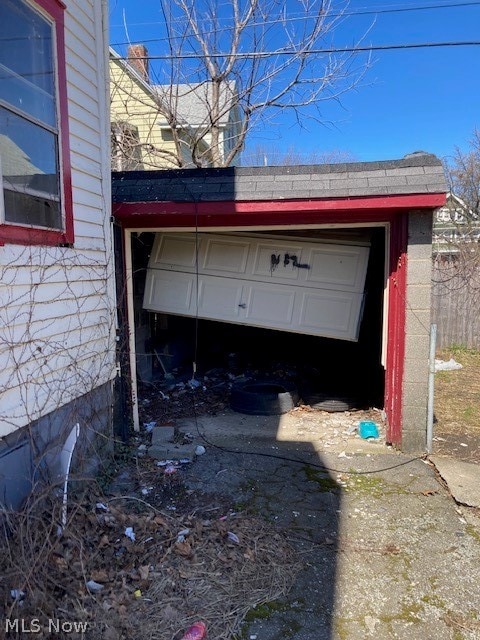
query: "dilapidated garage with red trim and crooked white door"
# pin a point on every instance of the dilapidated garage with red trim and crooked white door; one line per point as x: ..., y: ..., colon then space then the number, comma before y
x: 300, y: 266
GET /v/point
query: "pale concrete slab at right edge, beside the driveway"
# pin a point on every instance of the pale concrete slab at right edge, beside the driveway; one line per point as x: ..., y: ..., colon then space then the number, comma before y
x: 462, y: 478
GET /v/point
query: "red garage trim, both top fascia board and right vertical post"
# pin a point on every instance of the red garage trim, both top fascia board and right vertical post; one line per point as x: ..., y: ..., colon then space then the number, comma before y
x: 374, y: 210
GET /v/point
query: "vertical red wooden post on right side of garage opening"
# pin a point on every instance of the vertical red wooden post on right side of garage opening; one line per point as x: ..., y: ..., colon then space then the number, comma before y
x: 397, y: 296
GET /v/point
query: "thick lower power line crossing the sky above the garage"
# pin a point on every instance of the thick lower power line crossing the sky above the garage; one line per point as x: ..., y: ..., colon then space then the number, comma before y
x: 270, y: 54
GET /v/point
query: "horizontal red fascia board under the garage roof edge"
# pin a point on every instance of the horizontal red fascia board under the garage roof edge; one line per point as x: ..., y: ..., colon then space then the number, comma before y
x: 232, y: 213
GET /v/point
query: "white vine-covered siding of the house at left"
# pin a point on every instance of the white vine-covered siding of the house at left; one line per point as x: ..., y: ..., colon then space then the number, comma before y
x: 57, y: 310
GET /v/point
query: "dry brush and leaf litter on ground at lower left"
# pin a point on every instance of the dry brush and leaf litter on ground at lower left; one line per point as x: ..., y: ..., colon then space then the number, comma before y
x: 153, y: 587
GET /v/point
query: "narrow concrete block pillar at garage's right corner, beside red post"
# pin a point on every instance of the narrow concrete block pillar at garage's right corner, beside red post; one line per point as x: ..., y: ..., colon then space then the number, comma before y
x: 415, y: 380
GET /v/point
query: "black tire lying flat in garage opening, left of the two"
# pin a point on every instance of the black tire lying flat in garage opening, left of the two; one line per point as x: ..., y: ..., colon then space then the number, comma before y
x: 264, y: 397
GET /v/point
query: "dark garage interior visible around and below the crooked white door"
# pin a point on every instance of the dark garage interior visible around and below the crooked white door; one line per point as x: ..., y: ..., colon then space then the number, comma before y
x: 330, y: 367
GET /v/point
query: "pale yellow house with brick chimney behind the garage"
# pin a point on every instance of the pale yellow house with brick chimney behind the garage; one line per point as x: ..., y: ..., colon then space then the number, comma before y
x: 164, y: 126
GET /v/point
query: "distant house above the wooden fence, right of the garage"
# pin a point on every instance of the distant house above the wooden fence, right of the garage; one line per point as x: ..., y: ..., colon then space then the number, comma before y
x: 454, y: 225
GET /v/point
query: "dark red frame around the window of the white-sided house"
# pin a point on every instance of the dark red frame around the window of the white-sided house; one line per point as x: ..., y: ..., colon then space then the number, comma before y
x: 19, y: 234
